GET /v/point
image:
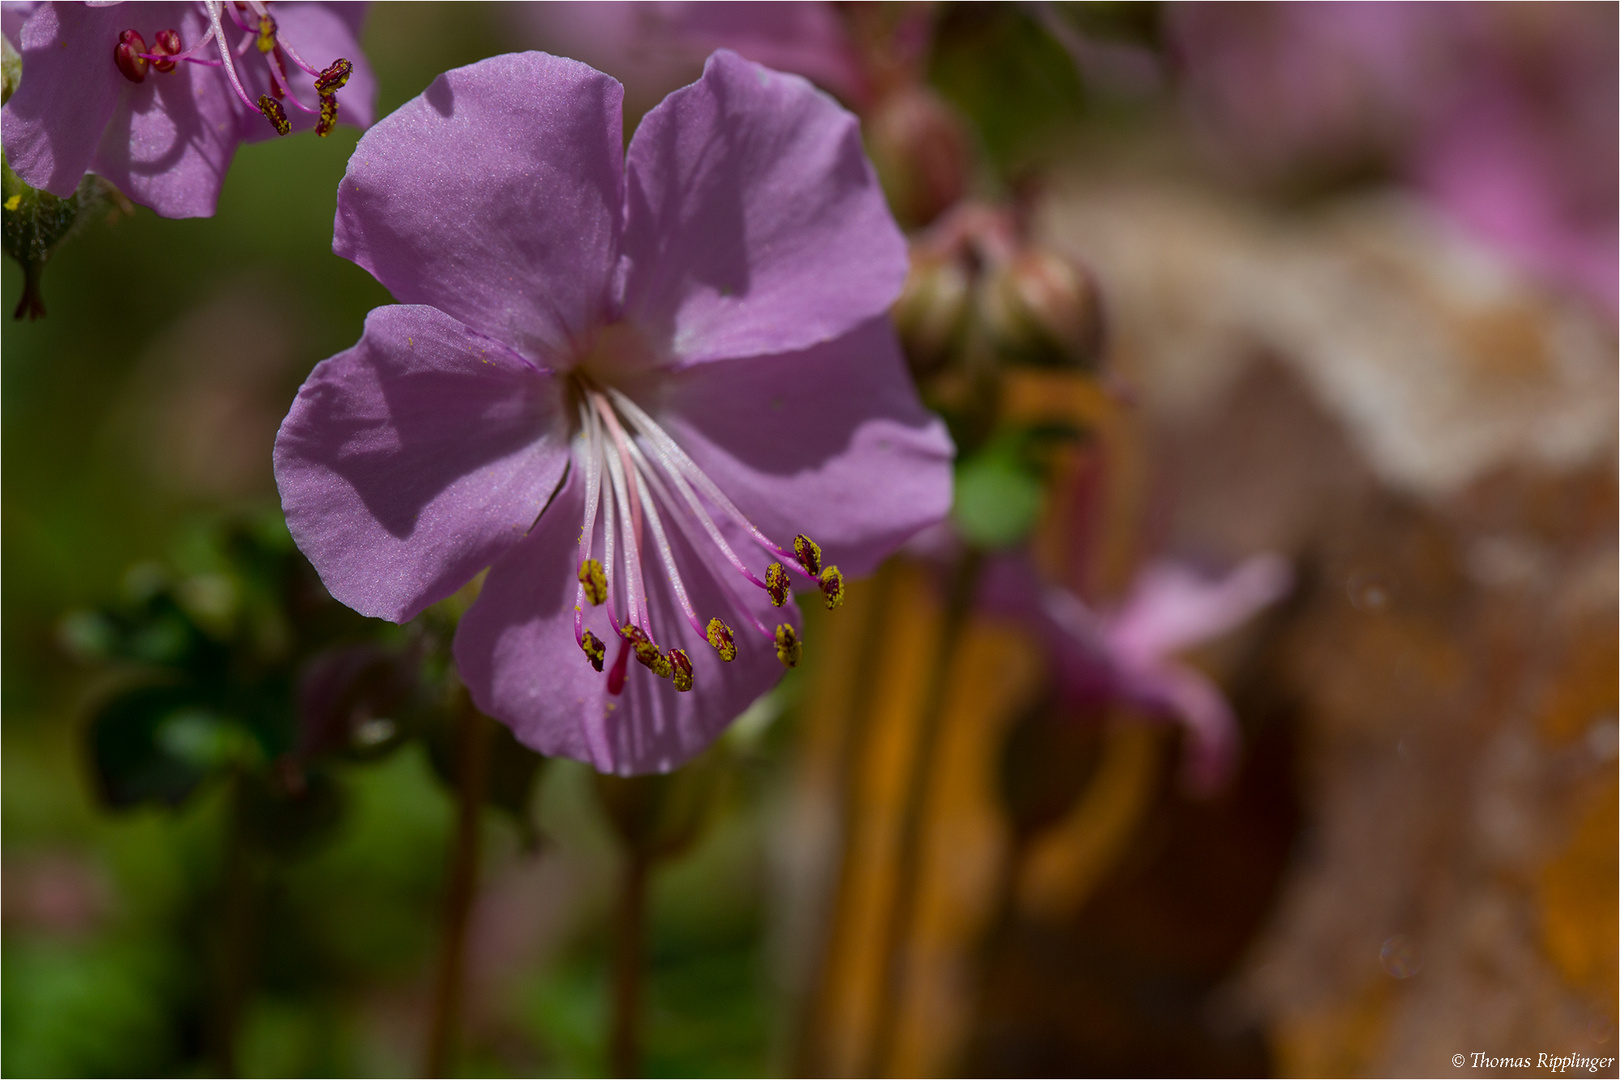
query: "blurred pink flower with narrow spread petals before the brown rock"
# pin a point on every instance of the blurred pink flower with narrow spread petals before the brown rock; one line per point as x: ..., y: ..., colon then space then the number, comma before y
x: 1128, y: 655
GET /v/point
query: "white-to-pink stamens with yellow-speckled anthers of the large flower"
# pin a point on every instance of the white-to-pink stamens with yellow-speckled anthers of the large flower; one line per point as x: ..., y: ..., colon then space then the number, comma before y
x: 641, y: 483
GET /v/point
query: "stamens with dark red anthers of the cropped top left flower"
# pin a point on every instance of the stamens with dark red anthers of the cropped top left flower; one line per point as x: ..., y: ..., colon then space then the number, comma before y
x: 255, y: 25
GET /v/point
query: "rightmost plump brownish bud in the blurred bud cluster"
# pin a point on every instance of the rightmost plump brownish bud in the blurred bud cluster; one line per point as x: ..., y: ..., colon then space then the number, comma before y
x: 1041, y: 308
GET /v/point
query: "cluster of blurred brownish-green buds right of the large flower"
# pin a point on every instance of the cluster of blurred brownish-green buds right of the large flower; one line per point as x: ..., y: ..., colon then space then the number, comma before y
x: 981, y: 291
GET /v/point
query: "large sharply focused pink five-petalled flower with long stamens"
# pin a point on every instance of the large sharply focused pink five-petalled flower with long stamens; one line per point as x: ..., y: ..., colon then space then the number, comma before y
x: 634, y: 386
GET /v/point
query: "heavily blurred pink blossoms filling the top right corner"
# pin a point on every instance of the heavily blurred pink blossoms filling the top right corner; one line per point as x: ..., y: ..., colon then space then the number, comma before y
x: 1504, y: 116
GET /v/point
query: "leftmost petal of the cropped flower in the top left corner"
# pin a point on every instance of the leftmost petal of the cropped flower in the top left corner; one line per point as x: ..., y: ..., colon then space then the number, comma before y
x: 70, y: 88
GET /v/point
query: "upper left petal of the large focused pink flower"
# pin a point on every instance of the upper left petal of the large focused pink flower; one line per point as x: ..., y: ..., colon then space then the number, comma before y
x: 495, y: 197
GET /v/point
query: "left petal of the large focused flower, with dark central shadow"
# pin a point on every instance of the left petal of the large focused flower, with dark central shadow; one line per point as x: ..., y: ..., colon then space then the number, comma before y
x: 414, y: 459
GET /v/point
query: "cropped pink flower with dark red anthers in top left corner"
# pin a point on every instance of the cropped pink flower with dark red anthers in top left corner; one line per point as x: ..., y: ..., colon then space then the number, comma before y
x: 156, y: 96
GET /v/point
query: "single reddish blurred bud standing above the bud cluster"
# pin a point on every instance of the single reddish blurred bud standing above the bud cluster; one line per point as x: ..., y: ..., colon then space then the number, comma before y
x: 921, y: 151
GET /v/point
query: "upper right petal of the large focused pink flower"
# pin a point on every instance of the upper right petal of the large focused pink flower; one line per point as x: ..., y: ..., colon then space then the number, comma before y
x: 756, y: 224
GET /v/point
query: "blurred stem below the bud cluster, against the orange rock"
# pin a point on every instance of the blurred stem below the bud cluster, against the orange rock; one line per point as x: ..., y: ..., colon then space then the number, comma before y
x: 908, y: 878
